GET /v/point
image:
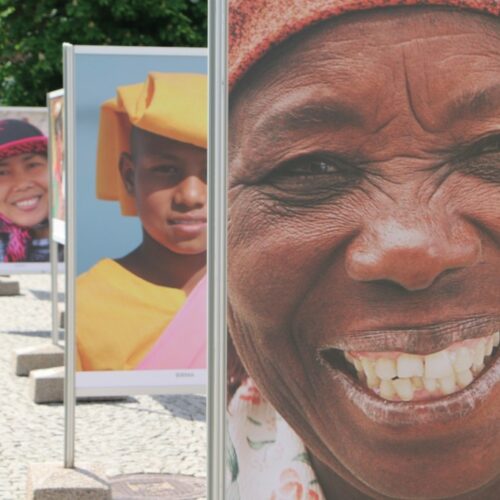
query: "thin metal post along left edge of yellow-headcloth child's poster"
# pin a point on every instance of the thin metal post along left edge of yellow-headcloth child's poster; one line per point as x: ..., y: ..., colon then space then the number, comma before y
x: 69, y: 257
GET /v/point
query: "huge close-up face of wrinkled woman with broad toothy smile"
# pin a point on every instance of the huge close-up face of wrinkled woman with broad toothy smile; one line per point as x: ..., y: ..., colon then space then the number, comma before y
x: 365, y: 219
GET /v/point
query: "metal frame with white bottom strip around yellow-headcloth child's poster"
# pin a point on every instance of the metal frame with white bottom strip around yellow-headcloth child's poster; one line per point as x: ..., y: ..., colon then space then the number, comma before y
x: 113, y: 383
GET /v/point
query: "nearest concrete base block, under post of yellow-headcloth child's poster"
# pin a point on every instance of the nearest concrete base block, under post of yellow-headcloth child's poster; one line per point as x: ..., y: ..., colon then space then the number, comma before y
x: 50, y: 481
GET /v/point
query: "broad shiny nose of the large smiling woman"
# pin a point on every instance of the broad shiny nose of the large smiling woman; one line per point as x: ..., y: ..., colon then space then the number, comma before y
x: 412, y: 252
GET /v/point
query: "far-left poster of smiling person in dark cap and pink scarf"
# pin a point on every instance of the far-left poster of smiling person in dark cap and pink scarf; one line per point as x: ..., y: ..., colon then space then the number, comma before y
x: 24, y: 190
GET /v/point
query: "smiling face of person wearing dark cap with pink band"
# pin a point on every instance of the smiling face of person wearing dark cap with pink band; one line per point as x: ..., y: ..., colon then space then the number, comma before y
x: 24, y: 189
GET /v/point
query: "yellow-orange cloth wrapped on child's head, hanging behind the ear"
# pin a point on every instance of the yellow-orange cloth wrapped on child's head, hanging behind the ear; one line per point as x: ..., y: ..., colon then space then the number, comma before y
x: 172, y: 105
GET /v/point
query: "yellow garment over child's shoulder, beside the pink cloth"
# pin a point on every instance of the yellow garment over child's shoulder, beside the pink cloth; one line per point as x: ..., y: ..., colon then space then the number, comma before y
x: 119, y: 316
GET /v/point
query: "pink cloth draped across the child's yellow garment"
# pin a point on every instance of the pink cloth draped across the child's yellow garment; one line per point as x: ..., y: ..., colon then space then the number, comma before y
x: 183, y: 343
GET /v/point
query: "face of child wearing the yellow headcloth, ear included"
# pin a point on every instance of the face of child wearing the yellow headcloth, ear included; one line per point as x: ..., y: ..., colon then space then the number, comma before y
x: 168, y: 181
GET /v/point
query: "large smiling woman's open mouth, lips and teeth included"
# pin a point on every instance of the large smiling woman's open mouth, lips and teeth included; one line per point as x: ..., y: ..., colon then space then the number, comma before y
x: 444, y: 372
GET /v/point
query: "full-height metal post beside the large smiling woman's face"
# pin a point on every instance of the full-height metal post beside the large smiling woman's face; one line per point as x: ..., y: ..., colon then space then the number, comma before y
x: 217, y: 154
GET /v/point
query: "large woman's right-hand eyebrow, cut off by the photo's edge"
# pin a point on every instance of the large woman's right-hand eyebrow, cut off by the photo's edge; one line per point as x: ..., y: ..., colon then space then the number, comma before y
x: 475, y: 103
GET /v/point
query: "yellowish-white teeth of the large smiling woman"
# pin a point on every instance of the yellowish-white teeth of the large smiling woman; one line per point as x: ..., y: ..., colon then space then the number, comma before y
x: 398, y: 376
